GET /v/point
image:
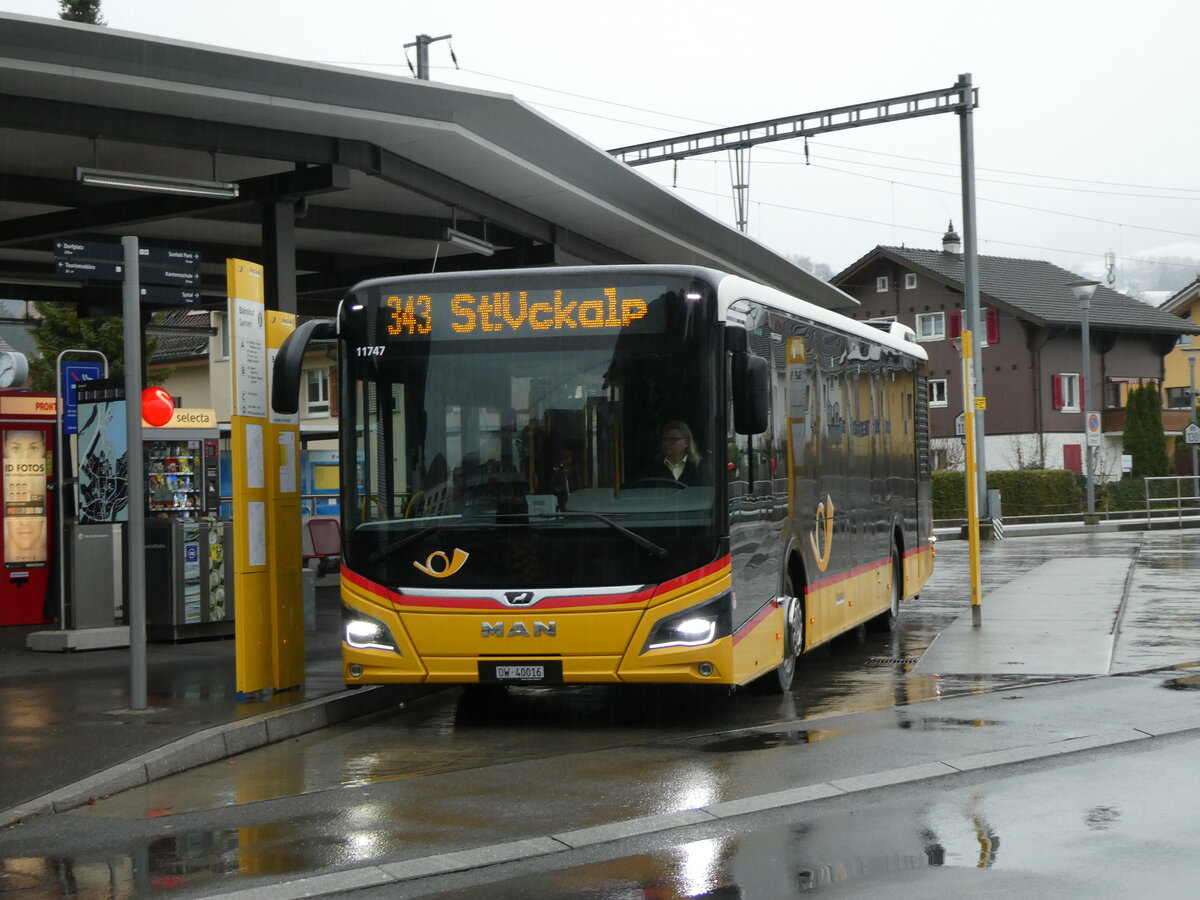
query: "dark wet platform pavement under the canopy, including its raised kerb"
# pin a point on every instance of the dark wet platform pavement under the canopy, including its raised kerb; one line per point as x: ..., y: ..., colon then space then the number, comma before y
x: 68, y: 733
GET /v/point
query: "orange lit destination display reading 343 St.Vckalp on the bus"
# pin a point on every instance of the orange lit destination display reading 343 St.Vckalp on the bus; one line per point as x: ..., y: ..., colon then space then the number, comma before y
x: 523, y: 314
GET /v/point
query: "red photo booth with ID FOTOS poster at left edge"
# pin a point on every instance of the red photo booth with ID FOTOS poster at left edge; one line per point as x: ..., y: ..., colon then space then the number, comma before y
x: 27, y: 428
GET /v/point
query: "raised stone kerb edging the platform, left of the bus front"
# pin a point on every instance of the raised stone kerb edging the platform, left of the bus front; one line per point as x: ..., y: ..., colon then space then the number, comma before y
x: 218, y: 743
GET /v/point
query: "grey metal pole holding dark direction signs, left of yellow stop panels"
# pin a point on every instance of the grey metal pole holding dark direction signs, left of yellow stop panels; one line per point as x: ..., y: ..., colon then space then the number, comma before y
x: 135, y: 554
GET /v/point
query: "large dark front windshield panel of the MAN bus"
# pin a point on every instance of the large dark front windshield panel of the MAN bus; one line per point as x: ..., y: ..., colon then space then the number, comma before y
x: 536, y: 458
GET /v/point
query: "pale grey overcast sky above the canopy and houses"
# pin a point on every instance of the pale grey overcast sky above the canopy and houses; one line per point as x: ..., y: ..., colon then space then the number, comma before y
x: 1085, y: 136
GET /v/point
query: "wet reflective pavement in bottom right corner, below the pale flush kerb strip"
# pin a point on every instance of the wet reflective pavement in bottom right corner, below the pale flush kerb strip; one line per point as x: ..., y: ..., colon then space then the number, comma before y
x: 1100, y: 829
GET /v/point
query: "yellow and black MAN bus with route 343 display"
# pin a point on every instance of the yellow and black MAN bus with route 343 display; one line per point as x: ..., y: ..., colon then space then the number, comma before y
x: 617, y: 475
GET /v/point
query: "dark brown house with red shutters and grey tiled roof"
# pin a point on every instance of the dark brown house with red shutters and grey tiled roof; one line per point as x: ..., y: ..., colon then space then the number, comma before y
x: 1031, y: 352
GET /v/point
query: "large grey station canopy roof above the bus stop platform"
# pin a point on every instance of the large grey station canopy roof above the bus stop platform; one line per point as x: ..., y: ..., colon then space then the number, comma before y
x: 340, y: 175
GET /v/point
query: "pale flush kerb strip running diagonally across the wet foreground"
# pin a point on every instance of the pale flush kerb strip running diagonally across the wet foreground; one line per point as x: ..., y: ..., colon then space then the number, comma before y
x: 379, y: 875
